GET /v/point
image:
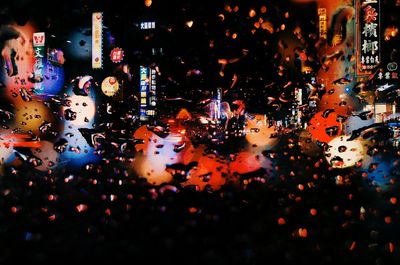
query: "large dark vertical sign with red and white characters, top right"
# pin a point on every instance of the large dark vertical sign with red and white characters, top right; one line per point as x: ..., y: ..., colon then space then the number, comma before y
x: 368, y: 36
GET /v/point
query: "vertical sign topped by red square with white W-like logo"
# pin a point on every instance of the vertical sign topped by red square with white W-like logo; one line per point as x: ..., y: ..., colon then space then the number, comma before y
x: 39, y: 53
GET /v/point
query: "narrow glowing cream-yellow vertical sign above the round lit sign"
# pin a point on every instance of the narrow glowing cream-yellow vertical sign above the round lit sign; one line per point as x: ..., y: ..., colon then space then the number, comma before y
x: 97, y: 40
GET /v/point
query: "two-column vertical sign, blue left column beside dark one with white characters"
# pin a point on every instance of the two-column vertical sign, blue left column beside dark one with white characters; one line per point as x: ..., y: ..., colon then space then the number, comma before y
x: 148, y: 87
